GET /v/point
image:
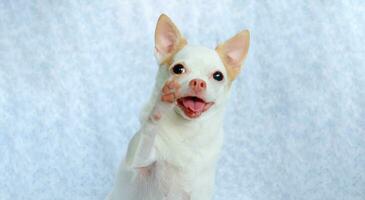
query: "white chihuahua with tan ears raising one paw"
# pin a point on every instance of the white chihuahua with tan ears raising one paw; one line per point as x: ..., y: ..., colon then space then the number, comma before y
x: 174, y: 154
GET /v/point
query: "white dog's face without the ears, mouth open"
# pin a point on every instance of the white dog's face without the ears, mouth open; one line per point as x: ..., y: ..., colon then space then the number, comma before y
x: 202, y: 79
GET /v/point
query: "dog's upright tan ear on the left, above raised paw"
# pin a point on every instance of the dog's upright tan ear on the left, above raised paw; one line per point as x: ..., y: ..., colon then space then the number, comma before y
x: 168, y: 39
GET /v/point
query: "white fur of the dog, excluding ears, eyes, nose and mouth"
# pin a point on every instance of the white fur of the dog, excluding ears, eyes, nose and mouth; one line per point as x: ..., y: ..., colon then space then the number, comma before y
x: 184, y: 152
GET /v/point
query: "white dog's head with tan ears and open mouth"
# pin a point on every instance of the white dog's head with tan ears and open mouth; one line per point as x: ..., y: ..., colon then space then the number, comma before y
x: 204, y: 75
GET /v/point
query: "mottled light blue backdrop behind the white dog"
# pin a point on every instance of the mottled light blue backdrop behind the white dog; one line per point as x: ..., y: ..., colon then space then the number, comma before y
x: 75, y: 74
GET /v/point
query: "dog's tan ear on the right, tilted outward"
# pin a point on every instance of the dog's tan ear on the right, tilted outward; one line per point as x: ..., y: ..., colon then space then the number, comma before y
x: 233, y: 52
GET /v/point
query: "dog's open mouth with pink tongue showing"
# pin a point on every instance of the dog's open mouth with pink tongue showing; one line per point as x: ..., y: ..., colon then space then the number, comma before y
x: 193, y: 106
